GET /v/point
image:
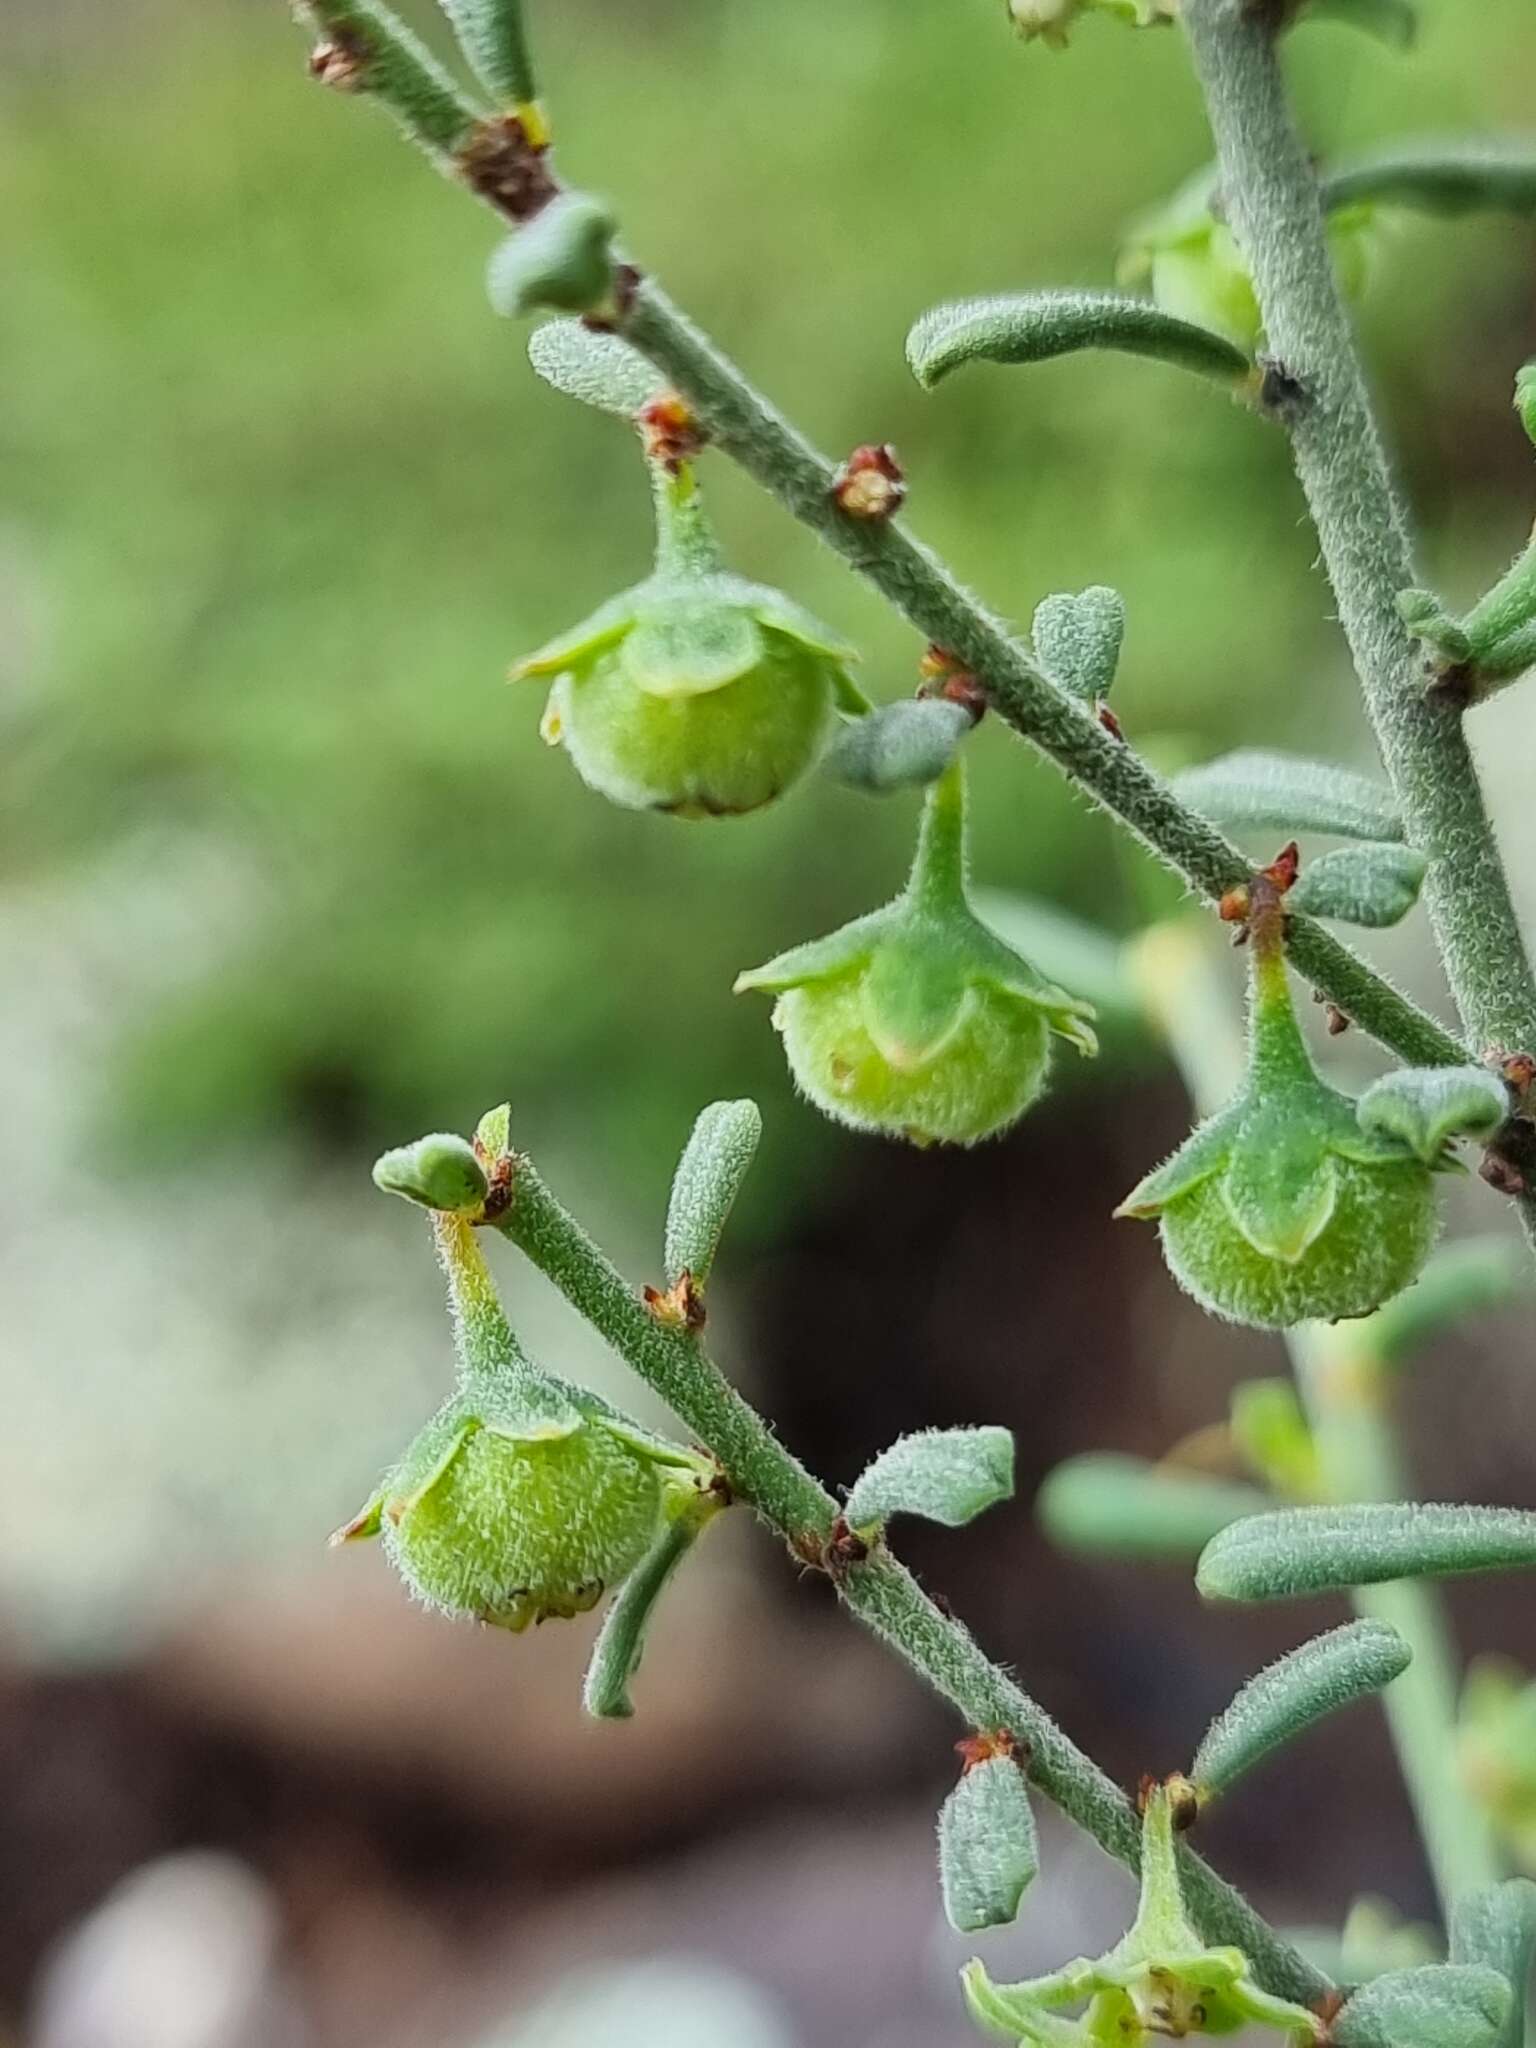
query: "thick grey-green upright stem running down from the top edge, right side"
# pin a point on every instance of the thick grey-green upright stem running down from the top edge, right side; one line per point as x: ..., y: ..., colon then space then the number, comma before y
x: 1275, y: 208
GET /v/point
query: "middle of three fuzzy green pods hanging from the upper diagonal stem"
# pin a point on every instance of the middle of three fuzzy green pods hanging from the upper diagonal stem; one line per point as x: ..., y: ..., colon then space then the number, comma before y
x: 919, y: 1021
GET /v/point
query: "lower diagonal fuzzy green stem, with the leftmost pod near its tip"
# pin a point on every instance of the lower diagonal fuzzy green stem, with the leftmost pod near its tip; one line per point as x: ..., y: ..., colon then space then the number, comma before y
x: 882, y: 1592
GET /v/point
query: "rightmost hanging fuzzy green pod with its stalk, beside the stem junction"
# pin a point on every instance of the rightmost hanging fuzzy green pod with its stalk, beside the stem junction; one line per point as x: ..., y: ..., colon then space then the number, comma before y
x: 1283, y: 1207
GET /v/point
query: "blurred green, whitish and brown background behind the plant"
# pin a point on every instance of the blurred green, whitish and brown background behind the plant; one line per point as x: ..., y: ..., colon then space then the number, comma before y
x: 286, y: 876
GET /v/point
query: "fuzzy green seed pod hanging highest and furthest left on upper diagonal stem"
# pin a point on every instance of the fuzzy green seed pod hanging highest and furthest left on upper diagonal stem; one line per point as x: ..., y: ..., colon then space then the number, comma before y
x: 693, y: 693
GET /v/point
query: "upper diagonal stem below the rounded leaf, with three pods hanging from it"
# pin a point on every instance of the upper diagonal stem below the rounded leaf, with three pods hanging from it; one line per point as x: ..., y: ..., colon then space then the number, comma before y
x: 919, y: 585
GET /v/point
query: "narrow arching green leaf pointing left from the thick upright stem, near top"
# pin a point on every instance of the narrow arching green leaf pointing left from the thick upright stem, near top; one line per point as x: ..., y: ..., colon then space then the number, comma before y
x: 1033, y: 327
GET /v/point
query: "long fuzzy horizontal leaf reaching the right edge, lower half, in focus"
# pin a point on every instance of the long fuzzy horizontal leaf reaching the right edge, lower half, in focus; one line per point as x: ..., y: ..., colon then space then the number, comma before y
x: 1302, y: 1551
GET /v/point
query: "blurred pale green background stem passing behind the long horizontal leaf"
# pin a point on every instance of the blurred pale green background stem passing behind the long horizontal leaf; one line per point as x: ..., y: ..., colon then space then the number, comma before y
x: 1349, y: 1400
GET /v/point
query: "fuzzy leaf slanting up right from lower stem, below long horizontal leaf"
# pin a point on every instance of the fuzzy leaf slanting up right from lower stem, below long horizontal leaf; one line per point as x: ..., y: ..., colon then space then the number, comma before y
x: 1293, y: 1695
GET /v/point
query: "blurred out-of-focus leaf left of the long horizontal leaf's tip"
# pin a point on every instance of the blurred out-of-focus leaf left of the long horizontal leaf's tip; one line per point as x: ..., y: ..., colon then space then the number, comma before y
x: 1111, y: 1506
